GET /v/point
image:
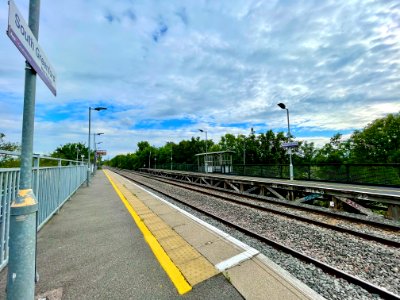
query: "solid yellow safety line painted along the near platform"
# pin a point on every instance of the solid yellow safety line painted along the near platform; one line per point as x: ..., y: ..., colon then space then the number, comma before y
x: 169, y: 267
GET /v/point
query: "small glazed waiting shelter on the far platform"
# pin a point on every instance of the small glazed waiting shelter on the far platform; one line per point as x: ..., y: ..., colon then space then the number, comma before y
x: 215, y: 162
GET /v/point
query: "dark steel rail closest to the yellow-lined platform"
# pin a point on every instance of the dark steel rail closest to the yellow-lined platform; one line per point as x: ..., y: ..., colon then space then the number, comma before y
x: 325, y: 267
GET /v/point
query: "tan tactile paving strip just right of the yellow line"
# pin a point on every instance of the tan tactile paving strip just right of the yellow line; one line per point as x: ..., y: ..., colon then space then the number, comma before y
x: 194, y: 267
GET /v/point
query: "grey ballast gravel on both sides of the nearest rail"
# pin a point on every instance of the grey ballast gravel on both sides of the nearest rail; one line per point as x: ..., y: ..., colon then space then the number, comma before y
x: 372, y: 262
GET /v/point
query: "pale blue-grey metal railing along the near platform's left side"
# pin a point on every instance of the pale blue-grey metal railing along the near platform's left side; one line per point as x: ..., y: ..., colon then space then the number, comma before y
x: 52, y: 186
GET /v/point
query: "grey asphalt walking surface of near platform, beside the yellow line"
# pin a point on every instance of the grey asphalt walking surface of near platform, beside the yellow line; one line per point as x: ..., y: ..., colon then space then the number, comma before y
x: 93, y: 250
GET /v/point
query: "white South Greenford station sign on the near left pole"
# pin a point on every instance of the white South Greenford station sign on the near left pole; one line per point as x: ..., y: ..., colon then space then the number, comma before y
x: 21, y: 35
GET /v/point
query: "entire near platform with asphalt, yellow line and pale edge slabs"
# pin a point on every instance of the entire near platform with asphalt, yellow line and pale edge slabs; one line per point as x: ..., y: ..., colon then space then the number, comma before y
x: 115, y: 240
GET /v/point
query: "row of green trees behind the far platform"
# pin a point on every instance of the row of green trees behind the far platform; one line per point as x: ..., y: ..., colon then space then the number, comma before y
x: 378, y: 142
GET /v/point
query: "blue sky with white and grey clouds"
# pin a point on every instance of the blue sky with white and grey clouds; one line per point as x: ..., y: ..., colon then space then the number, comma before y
x: 165, y: 69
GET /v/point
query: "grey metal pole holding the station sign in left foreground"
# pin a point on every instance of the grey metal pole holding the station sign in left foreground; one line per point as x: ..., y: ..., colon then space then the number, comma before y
x: 22, y: 240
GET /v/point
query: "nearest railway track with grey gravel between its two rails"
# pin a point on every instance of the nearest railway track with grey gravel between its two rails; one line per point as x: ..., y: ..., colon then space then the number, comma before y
x: 368, y: 264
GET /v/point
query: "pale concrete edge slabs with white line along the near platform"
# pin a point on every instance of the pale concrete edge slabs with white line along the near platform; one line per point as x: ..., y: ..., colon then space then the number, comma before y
x: 251, y: 273
